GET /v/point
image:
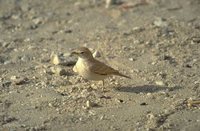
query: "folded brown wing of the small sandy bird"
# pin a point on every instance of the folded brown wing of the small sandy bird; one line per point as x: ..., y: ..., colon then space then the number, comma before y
x: 102, y: 69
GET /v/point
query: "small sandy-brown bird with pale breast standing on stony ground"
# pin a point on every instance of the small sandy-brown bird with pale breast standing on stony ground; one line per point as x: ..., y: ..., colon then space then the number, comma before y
x: 92, y: 69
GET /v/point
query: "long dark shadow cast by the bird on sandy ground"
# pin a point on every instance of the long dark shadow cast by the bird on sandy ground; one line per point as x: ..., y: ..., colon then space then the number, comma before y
x: 145, y: 88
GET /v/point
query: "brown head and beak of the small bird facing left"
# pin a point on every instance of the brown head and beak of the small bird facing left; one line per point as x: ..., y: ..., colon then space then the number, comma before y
x: 82, y: 52
